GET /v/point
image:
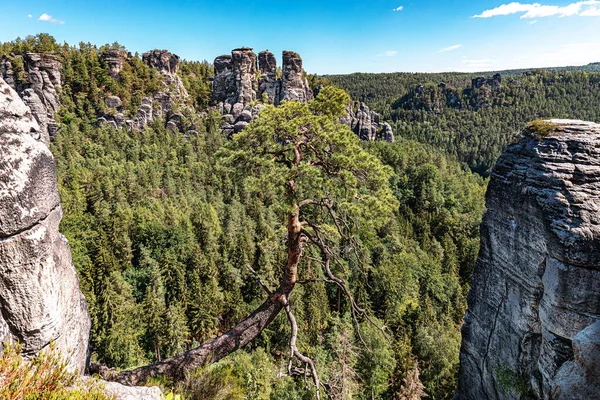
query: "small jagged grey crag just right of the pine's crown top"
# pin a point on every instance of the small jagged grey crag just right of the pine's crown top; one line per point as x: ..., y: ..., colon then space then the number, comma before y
x: 367, y: 124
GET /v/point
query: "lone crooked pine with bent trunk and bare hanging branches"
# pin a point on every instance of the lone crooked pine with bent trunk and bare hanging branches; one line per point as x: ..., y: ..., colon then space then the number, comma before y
x: 332, y: 193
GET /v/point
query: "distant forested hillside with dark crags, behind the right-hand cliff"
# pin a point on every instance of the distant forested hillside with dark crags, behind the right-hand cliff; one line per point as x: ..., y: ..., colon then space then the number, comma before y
x: 475, y: 122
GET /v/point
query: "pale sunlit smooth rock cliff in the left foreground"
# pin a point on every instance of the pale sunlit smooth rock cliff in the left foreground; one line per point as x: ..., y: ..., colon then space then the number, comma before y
x: 40, y: 300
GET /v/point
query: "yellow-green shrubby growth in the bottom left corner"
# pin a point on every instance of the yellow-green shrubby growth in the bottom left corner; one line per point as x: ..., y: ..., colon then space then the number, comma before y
x: 43, y: 377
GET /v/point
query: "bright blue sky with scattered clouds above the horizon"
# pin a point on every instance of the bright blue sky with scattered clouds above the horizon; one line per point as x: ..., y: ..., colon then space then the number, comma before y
x: 332, y: 36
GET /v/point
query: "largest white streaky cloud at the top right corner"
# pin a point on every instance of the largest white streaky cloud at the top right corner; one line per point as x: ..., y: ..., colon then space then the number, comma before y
x: 536, y: 10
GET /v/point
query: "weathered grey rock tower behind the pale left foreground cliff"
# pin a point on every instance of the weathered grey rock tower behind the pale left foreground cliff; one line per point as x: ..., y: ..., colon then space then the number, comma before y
x: 38, y: 86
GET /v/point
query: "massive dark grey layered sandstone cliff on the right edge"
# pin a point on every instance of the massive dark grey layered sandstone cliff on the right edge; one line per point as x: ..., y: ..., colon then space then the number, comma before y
x: 536, y: 287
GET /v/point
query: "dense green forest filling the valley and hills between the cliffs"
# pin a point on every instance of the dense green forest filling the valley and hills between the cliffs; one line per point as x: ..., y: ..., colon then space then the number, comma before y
x: 176, y: 234
